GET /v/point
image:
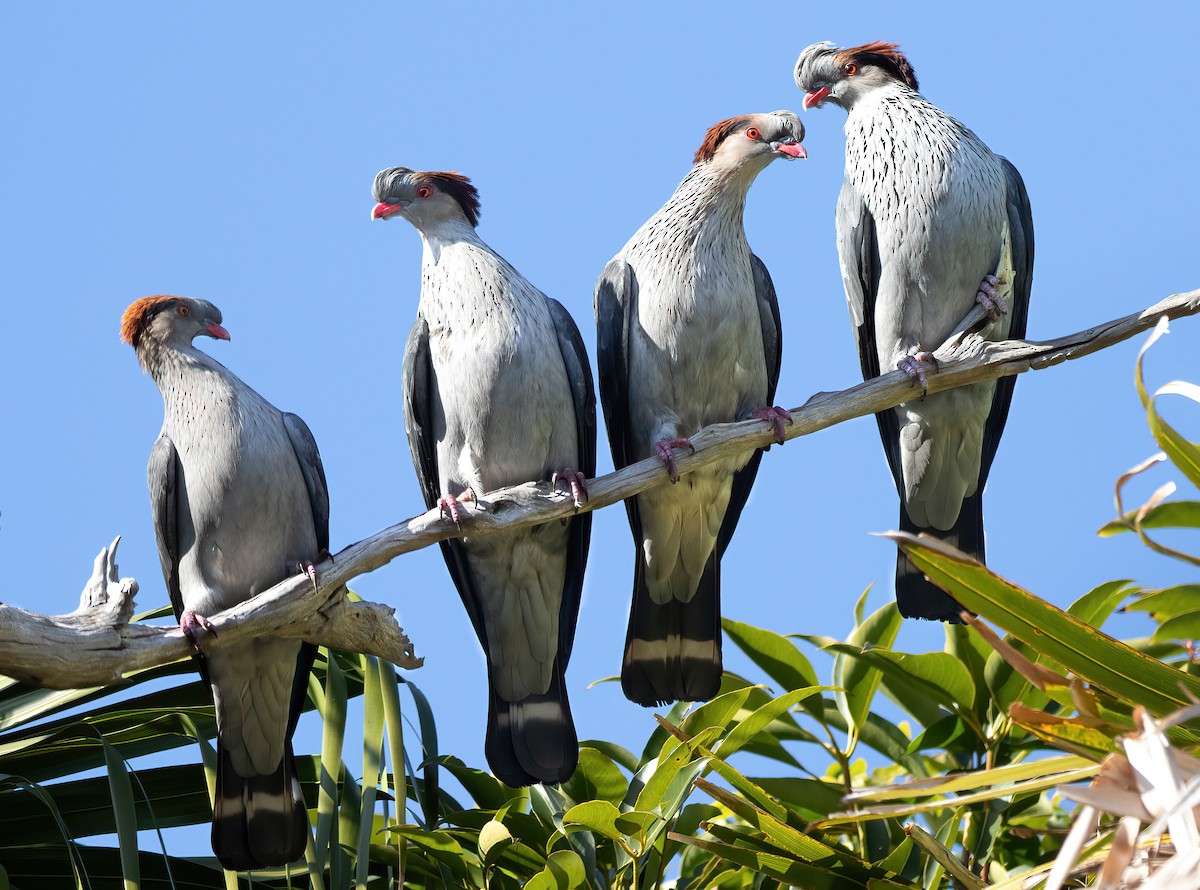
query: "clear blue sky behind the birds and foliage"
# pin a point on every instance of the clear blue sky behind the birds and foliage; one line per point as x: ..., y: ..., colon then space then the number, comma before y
x: 227, y: 153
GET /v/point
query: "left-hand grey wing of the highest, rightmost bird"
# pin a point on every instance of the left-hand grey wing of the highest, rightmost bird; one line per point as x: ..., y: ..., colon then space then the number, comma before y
x: 860, y: 255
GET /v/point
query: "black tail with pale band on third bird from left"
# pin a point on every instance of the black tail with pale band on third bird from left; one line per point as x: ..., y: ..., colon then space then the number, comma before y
x: 674, y: 652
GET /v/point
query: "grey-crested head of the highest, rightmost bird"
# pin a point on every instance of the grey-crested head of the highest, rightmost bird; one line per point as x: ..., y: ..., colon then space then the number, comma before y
x: 844, y: 76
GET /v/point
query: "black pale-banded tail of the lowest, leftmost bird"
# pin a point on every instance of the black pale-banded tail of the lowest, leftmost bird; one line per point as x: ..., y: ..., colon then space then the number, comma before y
x: 259, y: 822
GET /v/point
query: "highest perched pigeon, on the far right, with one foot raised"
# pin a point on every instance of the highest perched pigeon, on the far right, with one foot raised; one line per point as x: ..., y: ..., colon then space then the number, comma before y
x: 929, y: 222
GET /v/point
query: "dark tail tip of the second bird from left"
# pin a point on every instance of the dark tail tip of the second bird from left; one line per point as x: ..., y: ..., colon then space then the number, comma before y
x: 532, y: 741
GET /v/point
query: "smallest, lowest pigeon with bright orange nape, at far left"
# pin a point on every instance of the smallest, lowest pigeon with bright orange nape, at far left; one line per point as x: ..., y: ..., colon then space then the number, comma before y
x: 239, y: 502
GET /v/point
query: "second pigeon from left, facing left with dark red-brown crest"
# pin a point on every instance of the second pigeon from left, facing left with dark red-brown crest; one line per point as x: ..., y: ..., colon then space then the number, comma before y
x: 499, y: 392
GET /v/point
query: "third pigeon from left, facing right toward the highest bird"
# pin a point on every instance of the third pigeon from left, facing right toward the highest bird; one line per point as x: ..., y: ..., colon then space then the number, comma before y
x: 689, y: 335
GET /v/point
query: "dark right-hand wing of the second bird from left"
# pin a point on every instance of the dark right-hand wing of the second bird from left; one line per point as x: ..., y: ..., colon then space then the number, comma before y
x: 579, y: 376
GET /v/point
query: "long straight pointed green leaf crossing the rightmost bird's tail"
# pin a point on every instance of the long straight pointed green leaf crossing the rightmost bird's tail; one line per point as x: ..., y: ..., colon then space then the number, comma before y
x: 1089, y: 653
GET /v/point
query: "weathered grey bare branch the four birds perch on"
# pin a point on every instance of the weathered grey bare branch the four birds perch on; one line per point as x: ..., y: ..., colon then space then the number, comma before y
x: 95, y: 645
